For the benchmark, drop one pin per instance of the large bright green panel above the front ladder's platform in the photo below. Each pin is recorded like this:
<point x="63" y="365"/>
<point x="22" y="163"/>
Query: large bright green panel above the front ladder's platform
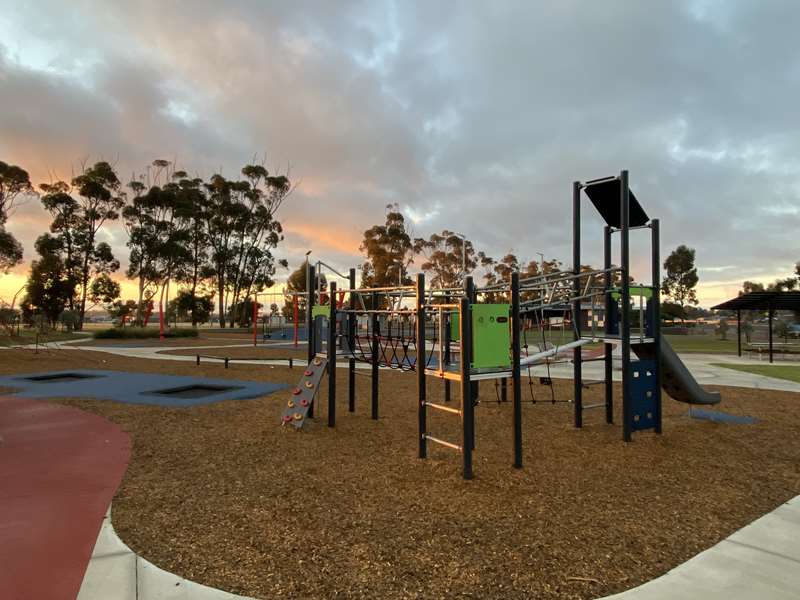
<point x="491" y="336"/>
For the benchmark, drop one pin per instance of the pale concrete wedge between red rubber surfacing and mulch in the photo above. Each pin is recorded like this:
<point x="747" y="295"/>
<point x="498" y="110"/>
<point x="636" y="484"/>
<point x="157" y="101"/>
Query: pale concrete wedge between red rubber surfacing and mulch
<point x="116" y="572"/>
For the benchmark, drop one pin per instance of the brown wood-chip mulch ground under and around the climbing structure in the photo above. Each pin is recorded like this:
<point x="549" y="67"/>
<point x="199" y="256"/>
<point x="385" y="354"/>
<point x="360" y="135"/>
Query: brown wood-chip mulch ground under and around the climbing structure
<point x="223" y="495"/>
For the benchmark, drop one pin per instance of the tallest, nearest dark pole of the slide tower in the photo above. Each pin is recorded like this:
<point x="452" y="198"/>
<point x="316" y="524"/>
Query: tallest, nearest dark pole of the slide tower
<point x="625" y="320"/>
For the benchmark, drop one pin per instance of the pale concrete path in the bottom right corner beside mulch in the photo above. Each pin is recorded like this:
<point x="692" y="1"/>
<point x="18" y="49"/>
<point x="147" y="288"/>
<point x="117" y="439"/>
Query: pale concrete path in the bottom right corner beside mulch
<point x="761" y="560"/>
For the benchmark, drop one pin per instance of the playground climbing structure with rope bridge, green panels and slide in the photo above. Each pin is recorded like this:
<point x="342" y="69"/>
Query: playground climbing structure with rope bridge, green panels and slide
<point x="464" y="335"/>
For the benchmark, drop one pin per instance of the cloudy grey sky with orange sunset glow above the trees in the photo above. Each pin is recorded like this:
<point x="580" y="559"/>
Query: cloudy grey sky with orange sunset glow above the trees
<point x="473" y="116"/>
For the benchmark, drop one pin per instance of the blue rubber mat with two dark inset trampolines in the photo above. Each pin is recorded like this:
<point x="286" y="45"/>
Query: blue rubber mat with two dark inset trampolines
<point x="136" y="388"/>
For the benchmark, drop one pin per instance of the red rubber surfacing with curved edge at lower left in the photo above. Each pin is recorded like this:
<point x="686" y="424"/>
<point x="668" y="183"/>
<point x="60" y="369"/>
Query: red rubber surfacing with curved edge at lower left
<point x="59" y="469"/>
